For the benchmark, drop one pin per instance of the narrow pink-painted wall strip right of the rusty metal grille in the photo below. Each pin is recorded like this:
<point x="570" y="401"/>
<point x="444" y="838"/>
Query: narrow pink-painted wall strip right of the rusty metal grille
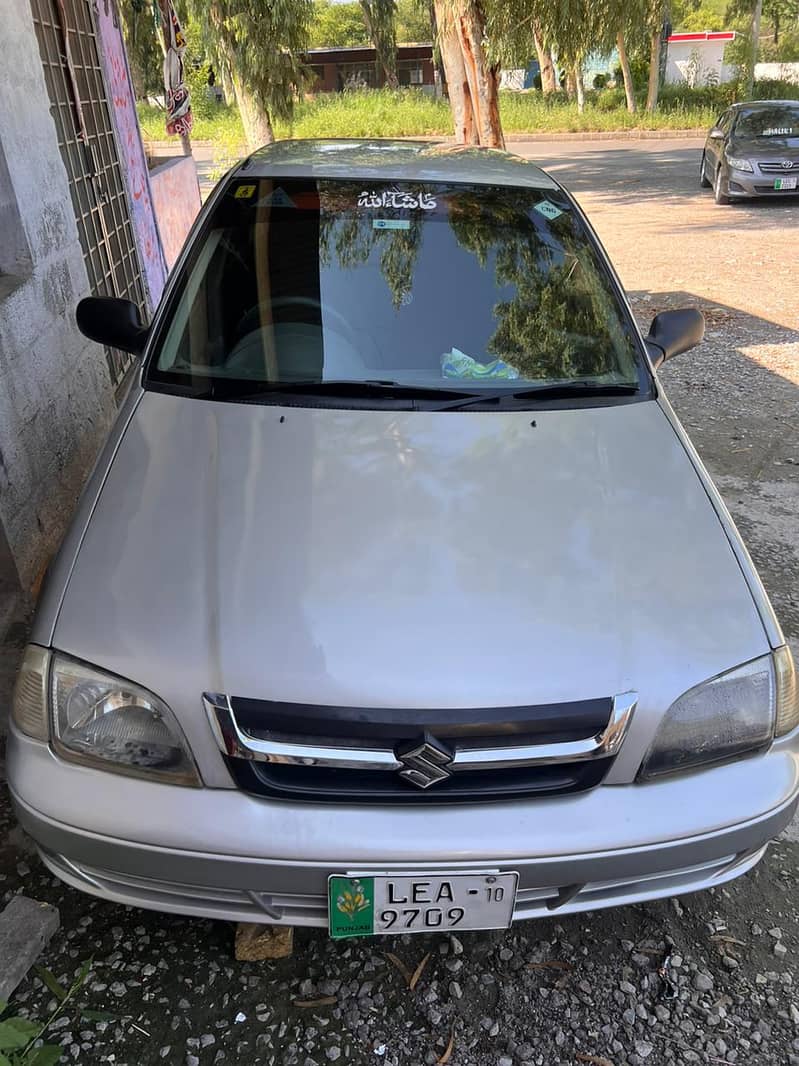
<point x="133" y="159"/>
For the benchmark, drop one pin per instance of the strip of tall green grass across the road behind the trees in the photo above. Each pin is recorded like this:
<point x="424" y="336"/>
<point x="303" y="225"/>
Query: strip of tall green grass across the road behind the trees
<point x="413" y="114"/>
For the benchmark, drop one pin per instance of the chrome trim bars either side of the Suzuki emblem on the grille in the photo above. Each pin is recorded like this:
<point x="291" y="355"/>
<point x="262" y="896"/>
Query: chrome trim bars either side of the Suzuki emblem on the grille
<point x="238" y="745"/>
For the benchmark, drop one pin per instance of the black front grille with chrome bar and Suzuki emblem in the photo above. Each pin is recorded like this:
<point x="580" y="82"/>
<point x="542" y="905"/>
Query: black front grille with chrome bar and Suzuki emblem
<point x="409" y="756"/>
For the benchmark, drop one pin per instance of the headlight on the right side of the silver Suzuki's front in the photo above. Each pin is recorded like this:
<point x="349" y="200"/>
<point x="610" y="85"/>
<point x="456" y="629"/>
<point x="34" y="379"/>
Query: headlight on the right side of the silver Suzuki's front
<point x="731" y="715"/>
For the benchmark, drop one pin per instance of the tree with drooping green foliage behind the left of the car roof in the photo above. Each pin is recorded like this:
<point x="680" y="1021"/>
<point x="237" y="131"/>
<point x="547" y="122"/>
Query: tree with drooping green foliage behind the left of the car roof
<point x="259" y="43"/>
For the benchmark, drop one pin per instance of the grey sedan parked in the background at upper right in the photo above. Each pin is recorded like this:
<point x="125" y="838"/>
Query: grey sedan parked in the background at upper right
<point x="754" y="151"/>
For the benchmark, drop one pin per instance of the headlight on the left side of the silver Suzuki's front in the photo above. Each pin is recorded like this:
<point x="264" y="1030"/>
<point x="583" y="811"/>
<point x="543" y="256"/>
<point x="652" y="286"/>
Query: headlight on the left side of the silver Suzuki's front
<point x="100" y="720"/>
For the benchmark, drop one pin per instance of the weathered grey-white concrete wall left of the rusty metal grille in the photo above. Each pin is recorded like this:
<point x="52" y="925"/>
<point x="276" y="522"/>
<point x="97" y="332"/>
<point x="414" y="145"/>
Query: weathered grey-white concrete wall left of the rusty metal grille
<point x="56" y="396"/>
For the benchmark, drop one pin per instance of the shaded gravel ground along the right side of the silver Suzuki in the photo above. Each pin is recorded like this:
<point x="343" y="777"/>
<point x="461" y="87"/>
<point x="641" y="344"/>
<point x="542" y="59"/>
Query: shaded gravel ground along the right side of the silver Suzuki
<point x="738" y="396"/>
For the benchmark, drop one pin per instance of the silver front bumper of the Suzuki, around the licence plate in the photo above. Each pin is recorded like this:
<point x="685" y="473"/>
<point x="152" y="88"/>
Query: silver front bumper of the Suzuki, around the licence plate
<point x="221" y="853"/>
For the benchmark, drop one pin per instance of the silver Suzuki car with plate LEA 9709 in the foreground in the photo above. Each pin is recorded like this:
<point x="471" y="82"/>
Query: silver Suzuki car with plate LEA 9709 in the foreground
<point x="399" y="599"/>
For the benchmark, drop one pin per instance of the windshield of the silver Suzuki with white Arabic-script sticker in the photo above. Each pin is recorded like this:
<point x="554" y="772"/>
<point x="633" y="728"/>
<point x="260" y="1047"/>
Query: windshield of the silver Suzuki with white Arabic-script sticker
<point x="426" y="286"/>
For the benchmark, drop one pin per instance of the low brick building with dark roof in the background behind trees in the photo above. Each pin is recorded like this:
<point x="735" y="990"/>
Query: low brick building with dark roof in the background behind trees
<point x="337" y="70"/>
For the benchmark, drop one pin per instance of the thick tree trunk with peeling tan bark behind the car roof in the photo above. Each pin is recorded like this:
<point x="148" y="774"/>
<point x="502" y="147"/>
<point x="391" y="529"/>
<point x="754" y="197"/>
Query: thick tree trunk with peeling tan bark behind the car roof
<point x="472" y="78"/>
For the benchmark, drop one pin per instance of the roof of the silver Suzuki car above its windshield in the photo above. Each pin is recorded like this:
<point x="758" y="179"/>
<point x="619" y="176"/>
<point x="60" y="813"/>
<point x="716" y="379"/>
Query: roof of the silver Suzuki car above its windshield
<point x="394" y="160"/>
